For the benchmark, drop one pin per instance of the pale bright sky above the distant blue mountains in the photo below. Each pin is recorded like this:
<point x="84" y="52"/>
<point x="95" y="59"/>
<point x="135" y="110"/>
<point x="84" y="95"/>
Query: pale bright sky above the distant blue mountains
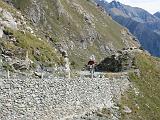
<point x="151" y="6"/>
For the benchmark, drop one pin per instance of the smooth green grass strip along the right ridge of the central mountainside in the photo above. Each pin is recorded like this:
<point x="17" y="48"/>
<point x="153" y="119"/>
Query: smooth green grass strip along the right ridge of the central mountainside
<point x="108" y="29"/>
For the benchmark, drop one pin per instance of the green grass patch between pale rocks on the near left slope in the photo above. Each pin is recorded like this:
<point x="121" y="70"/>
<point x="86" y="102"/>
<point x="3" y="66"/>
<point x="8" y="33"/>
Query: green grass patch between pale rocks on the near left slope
<point x="39" y="50"/>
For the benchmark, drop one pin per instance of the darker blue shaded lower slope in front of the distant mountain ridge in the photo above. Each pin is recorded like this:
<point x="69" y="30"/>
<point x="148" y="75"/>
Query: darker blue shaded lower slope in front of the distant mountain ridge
<point x="149" y="40"/>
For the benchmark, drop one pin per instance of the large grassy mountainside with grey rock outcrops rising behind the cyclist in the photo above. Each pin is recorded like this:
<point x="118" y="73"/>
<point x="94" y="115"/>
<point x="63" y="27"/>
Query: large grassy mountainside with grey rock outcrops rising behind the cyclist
<point x="76" y="26"/>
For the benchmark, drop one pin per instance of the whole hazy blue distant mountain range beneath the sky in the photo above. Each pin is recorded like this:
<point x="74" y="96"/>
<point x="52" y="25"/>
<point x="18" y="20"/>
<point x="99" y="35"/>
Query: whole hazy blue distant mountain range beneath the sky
<point x="145" y="26"/>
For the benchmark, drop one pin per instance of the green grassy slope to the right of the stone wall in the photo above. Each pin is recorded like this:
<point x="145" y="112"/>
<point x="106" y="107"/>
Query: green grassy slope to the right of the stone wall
<point x="146" y="104"/>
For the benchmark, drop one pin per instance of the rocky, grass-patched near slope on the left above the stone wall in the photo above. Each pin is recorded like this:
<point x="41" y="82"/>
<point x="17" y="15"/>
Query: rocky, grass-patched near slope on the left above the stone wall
<point x="19" y="44"/>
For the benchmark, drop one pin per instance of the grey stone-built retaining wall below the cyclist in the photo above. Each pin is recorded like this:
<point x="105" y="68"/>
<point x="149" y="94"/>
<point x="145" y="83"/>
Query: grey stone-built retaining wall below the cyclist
<point x="78" y="98"/>
